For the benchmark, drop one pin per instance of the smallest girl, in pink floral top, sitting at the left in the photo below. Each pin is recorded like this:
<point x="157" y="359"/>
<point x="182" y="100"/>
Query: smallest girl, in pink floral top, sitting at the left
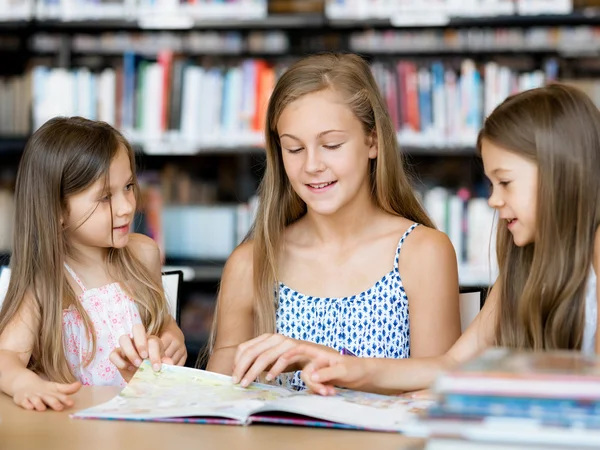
<point x="85" y="302"/>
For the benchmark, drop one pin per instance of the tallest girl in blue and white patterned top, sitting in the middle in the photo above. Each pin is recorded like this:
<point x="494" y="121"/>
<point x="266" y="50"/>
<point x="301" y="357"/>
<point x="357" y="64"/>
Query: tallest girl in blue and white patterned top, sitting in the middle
<point x="341" y="254"/>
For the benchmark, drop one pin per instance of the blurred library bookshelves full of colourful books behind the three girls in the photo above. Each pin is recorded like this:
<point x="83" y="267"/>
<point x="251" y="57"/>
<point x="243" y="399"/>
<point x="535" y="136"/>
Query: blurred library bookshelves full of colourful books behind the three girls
<point x="217" y="164"/>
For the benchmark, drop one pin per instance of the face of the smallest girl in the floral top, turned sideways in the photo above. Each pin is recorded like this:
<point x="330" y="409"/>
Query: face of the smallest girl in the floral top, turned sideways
<point x="100" y="216"/>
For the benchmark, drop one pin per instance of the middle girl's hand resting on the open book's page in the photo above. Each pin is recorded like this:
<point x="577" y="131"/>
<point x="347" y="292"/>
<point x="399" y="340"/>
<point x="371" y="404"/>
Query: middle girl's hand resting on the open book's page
<point x="259" y="354"/>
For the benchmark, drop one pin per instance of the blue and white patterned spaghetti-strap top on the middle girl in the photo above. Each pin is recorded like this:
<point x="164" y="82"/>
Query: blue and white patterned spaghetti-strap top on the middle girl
<point x="372" y="324"/>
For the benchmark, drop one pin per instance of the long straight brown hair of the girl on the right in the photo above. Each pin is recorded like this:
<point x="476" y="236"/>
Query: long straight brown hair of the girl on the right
<point x="542" y="285"/>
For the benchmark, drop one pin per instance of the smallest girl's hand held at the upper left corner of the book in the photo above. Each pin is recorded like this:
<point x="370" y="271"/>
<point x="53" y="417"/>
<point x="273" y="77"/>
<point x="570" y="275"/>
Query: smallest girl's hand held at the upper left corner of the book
<point x="131" y="352"/>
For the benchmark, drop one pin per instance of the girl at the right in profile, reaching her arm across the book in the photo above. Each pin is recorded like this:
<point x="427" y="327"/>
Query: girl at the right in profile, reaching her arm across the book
<point x="541" y="152"/>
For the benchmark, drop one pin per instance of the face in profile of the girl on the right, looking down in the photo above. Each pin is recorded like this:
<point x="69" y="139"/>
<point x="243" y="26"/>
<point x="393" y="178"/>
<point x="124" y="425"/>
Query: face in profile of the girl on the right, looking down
<point x="514" y="190"/>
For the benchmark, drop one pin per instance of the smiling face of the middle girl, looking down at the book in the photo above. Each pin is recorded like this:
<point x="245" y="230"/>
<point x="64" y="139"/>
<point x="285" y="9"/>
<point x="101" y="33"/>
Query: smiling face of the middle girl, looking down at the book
<point x="325" y="152"/>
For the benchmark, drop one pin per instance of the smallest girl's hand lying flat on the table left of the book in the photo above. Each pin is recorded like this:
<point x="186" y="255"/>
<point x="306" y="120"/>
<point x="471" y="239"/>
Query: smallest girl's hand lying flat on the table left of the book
<point x="45" y="394"/>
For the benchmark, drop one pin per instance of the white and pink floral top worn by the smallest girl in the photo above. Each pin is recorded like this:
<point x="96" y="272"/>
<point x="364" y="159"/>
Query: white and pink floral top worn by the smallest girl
<point x="113" y="314"/>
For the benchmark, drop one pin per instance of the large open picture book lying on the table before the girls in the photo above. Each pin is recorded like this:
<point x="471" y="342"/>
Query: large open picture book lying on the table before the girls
<point x="181" y="394"/>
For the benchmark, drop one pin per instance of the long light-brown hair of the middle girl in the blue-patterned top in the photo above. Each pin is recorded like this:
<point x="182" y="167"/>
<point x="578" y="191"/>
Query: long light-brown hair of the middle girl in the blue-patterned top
<point x="279" y="206"/>
